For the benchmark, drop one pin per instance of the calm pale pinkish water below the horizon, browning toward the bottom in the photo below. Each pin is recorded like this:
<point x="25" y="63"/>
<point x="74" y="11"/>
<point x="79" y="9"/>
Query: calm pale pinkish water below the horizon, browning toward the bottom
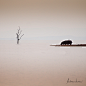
<point x="36" y="63"/>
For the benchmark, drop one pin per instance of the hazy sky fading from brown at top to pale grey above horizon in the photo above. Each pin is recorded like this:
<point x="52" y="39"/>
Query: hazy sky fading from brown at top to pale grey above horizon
<point x="41" y="18"/>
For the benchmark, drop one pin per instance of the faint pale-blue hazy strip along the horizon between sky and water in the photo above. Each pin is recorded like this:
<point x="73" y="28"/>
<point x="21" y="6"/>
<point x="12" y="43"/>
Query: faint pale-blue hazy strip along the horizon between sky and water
<point x="48" y="38"/>
